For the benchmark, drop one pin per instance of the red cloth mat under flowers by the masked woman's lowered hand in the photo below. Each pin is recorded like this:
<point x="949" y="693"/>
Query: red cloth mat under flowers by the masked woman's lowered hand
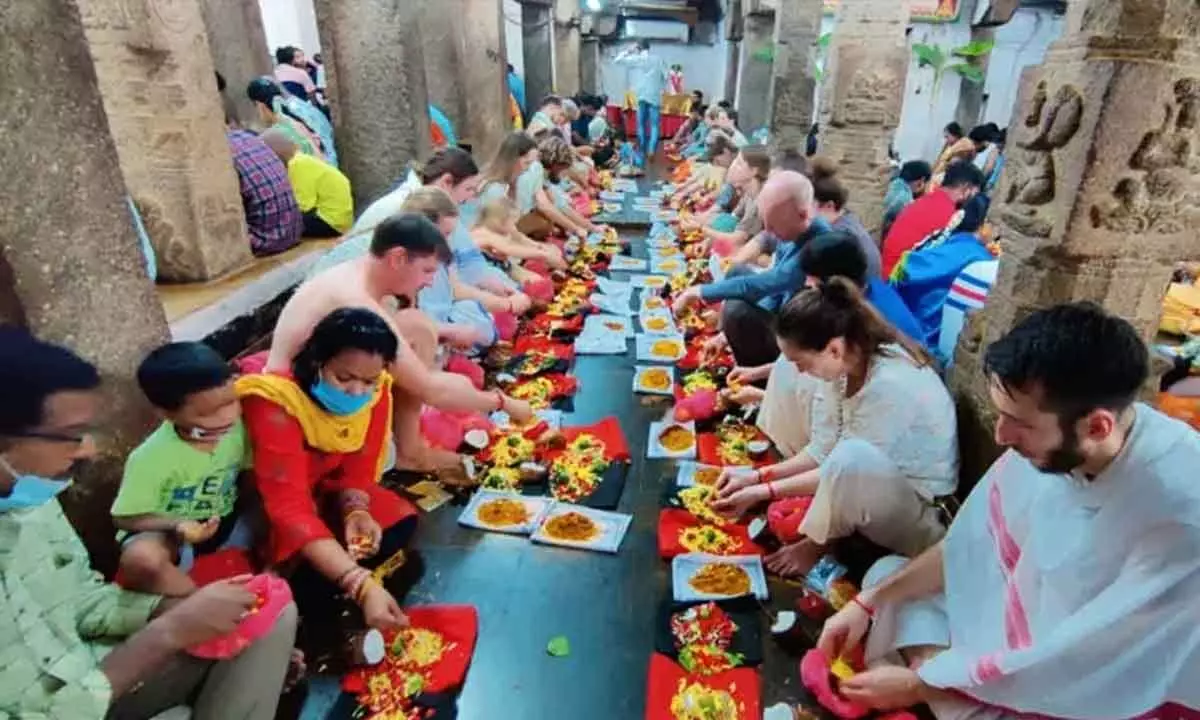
<point x="459" y="627"/>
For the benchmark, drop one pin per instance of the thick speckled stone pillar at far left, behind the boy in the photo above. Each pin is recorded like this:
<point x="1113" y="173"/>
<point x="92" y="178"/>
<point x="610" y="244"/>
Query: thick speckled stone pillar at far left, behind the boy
<point x="71" y="257"/>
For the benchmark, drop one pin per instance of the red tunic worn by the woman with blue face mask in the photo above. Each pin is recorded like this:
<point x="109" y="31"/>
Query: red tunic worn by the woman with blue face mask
<point x="296" y="481"/>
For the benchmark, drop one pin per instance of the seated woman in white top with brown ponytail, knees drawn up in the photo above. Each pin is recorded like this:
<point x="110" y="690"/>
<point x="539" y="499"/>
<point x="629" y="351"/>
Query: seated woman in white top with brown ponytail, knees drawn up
<point x="883" y="439"/>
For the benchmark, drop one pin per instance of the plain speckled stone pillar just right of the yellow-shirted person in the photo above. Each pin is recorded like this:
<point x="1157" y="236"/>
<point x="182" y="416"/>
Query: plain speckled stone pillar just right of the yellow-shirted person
<point x="373" y="53"/>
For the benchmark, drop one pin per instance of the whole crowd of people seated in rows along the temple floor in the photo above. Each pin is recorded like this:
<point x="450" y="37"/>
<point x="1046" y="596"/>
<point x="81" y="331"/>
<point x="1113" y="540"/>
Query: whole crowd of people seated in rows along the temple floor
<point x="1063" y="589"/>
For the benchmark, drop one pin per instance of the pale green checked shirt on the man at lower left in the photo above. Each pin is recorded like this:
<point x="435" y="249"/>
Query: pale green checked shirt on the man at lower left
<point x="58" y="620"/>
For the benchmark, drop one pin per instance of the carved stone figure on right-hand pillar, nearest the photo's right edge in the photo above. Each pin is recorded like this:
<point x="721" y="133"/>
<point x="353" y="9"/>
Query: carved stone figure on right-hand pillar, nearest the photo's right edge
<point x="1162" y="195"/>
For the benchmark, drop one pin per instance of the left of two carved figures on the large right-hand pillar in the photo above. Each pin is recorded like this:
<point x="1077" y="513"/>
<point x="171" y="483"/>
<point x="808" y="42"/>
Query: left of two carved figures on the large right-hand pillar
<point x="1048" y="127"/>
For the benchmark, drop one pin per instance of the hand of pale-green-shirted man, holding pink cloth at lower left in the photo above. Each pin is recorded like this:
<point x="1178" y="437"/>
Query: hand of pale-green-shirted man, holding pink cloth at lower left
<point x="213" y="611"/>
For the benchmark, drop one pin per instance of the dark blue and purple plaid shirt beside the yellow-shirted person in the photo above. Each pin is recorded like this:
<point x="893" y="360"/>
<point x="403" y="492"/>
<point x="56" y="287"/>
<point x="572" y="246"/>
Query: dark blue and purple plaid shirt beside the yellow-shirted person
<point x="272" y="213"/>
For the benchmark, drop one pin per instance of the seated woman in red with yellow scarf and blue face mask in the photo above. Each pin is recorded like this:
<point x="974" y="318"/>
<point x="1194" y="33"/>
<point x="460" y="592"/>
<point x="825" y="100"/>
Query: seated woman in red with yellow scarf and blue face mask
<point x="319" y="437"/>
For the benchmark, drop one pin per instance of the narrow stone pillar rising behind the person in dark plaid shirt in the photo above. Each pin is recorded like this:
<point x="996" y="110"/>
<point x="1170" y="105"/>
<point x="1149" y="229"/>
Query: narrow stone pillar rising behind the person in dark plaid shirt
<point x="238" y="45"/>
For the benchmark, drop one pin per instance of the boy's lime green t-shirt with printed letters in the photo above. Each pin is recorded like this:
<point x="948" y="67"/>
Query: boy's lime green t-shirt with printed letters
<point x="166" y="476"/>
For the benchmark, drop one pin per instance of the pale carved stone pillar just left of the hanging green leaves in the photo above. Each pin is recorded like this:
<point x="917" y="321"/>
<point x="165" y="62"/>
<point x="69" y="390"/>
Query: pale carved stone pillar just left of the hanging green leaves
<point x="863" y="97"/>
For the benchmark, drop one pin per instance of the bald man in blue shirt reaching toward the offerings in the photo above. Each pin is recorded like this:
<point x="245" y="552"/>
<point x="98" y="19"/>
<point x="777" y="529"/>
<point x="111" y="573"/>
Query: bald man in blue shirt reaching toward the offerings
<point x="752" y="301"/>
